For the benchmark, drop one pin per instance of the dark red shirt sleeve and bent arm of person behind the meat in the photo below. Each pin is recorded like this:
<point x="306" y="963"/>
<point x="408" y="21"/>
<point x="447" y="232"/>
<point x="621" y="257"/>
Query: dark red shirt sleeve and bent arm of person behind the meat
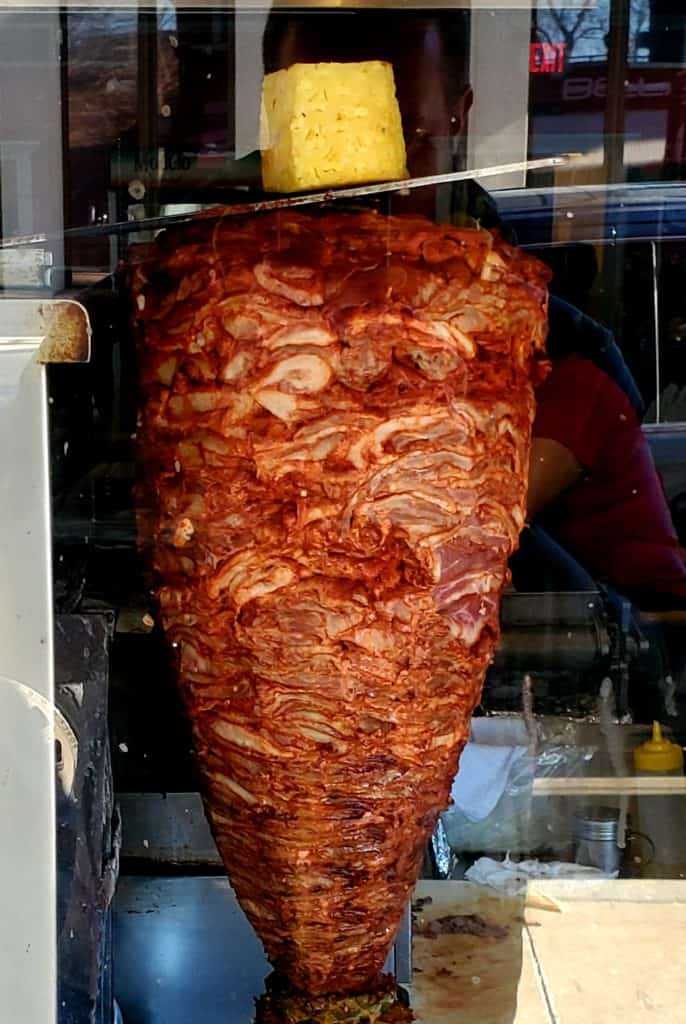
<point x="595" y="490"/>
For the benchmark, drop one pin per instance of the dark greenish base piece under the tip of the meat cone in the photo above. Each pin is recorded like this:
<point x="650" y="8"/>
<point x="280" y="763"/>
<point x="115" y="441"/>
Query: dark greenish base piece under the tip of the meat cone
<point x="383" y="1003"/>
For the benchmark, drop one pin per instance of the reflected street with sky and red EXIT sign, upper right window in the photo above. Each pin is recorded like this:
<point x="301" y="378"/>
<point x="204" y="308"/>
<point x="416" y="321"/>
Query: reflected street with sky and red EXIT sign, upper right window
<point x="569" y="104"/>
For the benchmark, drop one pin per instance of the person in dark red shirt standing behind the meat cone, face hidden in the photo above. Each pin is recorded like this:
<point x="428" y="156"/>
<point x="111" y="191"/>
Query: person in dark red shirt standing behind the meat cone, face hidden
<point x="593" y="487"/>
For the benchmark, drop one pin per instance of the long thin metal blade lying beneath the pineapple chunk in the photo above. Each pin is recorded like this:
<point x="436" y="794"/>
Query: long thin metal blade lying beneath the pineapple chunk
<point x="307" y="199"/>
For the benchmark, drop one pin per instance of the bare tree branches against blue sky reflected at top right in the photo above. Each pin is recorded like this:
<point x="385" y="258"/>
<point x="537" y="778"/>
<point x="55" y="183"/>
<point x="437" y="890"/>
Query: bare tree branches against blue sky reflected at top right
<point x="584" y="28"/>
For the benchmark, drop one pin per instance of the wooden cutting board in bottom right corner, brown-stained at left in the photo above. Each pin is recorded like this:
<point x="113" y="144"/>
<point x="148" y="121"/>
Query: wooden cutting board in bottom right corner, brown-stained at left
<point x="615" y="954"/>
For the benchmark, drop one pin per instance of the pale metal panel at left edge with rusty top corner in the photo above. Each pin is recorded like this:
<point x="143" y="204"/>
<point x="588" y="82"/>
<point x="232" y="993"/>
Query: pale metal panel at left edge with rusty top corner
<point x="28" y="884"/>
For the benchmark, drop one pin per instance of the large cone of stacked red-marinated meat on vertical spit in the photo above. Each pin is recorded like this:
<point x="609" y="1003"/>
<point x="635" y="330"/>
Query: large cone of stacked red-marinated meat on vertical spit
<point x="335" y="437"/>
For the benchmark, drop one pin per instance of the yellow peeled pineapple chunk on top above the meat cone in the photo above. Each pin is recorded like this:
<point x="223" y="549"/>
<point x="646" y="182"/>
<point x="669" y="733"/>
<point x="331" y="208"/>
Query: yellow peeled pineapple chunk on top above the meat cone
<point x="331" y="124"/>
